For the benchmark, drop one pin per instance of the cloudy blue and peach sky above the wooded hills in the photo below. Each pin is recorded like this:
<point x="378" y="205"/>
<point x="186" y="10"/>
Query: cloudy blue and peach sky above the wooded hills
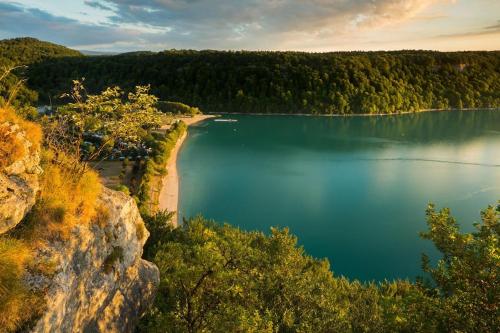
<point x="301" y="25"/>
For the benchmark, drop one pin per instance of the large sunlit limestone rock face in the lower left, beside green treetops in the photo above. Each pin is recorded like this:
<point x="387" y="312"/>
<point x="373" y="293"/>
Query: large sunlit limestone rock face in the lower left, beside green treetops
<point x="101" y="284"/>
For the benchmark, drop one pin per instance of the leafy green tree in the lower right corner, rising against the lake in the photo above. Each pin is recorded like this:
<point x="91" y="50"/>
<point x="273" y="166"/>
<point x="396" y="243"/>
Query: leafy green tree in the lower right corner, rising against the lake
<point x="467" y="277"/>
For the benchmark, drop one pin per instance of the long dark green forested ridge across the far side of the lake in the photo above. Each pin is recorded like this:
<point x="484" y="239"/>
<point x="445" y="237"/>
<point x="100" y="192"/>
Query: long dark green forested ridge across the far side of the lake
<point x="287" y="82"/>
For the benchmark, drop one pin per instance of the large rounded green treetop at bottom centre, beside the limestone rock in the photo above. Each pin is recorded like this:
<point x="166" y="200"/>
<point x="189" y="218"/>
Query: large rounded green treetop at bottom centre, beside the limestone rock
<point x="217" y="278"/>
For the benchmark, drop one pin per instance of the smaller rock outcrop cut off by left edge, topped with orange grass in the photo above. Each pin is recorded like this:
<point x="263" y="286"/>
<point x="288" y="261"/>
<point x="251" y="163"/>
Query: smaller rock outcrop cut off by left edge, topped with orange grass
<point x="18" y="182"/>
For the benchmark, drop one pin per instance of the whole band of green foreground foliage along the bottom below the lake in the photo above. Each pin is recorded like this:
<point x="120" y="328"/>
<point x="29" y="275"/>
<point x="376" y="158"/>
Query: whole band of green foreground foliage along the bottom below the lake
<point x="216" y="278"/>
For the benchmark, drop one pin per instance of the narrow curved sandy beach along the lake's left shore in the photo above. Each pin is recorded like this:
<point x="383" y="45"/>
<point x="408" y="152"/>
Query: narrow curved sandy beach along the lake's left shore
<point x="169" y="193"/>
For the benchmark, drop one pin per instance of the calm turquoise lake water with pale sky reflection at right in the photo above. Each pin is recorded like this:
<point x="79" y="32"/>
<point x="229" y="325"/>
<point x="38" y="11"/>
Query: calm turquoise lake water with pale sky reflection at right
<point x="353" y="189"/>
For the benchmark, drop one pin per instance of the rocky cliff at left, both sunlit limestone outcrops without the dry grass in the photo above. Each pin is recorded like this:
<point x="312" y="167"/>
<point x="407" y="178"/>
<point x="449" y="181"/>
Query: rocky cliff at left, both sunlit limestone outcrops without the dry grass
<point x="98" y="282"/>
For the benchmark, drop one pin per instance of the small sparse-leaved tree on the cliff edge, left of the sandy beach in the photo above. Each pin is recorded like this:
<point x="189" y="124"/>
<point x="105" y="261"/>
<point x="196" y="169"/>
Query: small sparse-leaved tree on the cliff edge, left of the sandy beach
<point x="112" y="115"/>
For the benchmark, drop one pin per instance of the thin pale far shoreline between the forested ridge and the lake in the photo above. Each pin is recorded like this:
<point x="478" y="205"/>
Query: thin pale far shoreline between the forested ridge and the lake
<point x="350" y="114"/>
